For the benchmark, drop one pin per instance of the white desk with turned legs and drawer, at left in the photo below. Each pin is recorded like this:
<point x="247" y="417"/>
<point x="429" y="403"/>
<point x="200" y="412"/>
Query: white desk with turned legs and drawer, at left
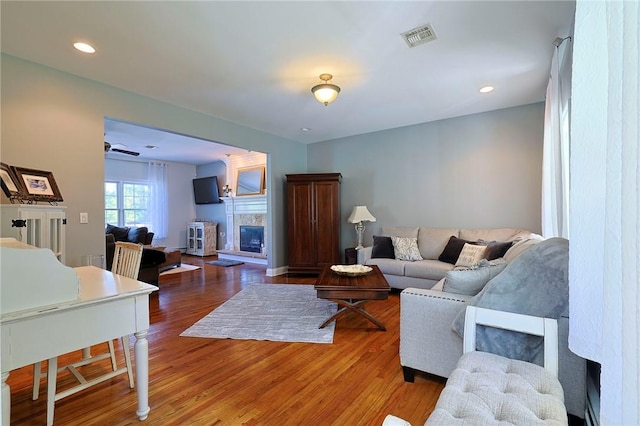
<point x="108" y="306"/>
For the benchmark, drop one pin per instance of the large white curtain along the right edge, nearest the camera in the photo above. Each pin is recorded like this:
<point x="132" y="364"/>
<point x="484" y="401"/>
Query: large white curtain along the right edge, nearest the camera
<point x="604" y="263"/>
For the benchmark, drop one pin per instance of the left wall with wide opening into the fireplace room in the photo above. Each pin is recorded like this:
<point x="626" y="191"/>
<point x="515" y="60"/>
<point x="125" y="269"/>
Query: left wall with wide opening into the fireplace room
<point x="54" y="121"/>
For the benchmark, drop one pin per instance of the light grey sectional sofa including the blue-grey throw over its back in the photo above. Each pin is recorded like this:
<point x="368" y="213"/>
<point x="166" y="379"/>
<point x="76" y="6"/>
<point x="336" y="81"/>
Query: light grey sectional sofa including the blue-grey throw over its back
<point x="431" y="308"/>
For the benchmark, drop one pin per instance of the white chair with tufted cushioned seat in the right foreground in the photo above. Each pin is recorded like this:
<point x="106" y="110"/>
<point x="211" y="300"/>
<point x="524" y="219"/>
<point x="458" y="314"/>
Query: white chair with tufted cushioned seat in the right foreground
<point x="485" y="388"/>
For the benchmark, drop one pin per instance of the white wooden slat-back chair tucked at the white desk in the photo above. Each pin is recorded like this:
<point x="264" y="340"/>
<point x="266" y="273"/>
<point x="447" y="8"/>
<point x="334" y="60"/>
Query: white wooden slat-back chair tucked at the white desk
<point x="126" y="262"/>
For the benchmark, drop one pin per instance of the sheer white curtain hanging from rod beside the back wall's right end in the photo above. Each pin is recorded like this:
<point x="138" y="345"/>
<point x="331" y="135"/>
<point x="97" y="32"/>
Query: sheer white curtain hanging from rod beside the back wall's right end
<point x="555" y="163"/>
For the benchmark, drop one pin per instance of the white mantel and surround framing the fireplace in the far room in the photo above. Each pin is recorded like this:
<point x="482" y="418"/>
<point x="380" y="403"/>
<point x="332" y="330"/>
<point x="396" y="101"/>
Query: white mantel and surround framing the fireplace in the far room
<point x="238" y="206"/>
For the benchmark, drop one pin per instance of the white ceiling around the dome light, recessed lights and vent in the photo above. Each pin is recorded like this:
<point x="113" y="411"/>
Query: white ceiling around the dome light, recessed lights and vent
<point x="254" y="62"/>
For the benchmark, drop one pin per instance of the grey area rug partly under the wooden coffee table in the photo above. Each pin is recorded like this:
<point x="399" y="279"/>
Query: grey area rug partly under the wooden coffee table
<point x="275" y="312"/>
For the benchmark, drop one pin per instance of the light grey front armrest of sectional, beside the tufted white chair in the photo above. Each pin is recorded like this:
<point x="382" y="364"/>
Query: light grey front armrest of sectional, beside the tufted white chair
<point x="427" y="341"/>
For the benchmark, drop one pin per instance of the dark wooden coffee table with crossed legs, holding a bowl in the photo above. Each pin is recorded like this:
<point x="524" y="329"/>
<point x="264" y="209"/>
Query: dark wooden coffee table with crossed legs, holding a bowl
<point x="351" y="293"/>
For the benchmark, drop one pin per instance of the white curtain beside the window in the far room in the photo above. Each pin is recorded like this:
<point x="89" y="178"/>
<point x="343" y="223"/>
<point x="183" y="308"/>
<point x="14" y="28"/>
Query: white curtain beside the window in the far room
<point x="158" y="206"/>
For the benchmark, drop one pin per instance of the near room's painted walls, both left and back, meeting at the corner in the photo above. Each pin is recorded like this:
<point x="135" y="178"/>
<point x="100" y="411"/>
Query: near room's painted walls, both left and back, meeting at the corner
<point x="481" y="170"/>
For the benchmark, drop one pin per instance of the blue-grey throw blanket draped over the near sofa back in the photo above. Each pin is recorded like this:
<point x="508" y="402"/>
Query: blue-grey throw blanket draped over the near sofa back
<point x="535" y="283"/>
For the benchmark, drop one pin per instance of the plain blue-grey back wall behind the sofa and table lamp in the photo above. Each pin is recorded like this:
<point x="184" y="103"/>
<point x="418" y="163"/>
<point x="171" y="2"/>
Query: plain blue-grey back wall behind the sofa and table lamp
<point x="477" y="171"/>
